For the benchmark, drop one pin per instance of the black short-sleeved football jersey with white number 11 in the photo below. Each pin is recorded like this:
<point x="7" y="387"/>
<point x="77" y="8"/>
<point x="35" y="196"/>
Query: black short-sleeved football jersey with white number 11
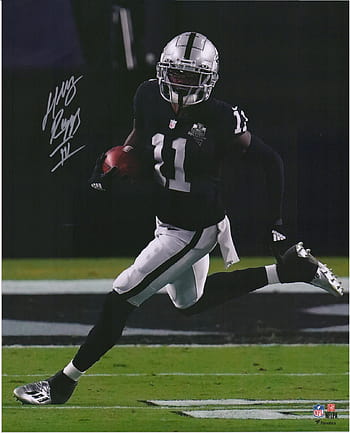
<point x="186" y="151"/>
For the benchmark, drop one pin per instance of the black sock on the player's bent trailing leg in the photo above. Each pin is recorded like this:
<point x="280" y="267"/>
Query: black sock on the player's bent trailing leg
<point x="222" y="286"/>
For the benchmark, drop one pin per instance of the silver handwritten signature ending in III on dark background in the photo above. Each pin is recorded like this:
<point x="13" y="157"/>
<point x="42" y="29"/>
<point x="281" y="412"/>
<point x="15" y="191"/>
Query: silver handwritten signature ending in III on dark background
<point x="63" y="125"/>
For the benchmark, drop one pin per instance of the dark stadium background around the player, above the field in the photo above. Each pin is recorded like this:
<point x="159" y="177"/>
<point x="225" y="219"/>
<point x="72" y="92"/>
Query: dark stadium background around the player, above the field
<point x="285" y="63"/>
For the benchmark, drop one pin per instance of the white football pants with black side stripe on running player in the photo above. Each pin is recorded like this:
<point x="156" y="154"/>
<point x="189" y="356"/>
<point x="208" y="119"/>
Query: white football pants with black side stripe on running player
<point x="176" y="259"/>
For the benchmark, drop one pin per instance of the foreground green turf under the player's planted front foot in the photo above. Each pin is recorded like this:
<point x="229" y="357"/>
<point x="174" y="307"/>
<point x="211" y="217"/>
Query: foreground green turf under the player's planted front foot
<point x="265" y="373"/>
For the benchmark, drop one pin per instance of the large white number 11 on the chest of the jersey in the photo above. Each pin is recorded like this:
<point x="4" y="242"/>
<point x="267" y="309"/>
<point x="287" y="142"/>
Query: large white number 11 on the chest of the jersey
<point x="179" y="145"/>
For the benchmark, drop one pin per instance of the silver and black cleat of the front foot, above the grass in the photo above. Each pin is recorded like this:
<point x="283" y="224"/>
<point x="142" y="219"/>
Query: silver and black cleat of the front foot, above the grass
<point x="54" y="390"/>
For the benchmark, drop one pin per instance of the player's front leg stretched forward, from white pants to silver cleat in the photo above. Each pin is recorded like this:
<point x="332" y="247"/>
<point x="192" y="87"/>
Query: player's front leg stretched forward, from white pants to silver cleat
<point x="169" y="254"/>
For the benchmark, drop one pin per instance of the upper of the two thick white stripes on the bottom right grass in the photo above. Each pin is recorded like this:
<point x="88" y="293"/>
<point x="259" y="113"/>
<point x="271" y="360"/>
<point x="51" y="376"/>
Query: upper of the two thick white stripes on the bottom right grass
<point x="234" y="402"/>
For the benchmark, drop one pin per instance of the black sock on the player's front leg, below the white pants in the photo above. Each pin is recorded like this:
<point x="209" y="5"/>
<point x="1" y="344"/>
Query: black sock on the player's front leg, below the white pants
<point x="105" y="333"/>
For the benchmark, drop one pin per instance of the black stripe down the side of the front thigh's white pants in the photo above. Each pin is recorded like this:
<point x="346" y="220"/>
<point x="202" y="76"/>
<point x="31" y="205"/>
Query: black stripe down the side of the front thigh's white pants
<point x="163" y="267"/>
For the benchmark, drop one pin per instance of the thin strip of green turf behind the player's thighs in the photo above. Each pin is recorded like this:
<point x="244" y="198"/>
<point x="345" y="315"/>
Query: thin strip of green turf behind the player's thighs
<point x="36" y="269"/>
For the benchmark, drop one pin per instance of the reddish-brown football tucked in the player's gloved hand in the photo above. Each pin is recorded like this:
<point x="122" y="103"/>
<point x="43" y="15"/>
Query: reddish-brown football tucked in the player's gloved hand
<point x="124" y="159"/>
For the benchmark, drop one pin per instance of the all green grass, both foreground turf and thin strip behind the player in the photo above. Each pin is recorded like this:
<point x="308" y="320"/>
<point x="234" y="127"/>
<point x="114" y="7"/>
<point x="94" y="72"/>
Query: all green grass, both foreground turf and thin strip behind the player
<point x="111" y="397"/>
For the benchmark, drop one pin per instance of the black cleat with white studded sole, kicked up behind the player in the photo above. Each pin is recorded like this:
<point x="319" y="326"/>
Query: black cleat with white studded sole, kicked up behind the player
<point x="297" y="264"/>
